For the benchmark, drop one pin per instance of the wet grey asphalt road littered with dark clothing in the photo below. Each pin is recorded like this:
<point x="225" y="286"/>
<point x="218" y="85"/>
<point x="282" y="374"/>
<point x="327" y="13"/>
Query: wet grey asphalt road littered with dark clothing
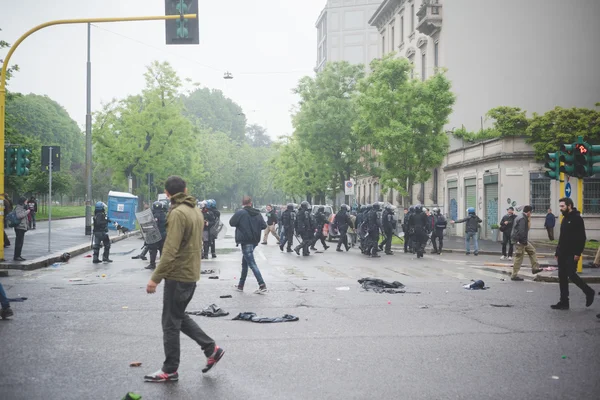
<point x="75" y="339"/>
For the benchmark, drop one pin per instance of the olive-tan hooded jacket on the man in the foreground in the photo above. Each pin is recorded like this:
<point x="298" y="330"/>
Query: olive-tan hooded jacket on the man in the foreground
<point x="180" y="258"/>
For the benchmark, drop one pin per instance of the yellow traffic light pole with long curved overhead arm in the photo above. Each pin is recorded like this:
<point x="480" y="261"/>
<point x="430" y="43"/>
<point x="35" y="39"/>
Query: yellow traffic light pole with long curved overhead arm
<point x="5" y="70"/>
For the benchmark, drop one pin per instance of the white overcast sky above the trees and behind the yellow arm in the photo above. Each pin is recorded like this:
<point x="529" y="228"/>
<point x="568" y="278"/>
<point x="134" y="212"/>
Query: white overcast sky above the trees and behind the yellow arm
<point x="266" y="44"/>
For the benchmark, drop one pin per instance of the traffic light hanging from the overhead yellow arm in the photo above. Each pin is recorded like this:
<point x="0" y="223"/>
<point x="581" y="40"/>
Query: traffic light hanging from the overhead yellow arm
<point x="182" y="30"/>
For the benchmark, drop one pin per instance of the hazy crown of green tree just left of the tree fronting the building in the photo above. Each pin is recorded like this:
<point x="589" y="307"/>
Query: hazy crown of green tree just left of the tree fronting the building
<point x="324" y="121"/>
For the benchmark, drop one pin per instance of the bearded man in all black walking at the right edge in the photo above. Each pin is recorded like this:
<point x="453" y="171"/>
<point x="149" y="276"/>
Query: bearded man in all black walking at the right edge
<point x="571" y="243"/>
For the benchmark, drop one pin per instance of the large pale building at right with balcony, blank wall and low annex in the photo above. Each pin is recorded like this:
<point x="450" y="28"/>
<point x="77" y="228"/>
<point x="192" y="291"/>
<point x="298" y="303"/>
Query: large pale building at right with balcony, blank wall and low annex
<point x="535" y="54"/>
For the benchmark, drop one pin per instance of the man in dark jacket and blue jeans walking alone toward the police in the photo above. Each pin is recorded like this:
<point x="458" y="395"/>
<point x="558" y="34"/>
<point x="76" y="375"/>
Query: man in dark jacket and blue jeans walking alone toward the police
<point x="248" y="223"/>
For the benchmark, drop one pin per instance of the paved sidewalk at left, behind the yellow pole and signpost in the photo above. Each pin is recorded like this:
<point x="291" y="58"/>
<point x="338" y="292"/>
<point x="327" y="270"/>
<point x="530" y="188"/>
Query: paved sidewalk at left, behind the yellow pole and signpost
<point x="67" y="236"/>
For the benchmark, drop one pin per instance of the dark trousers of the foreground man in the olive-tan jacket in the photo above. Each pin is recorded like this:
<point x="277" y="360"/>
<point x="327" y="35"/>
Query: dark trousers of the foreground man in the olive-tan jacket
<point x="174" y="320"/>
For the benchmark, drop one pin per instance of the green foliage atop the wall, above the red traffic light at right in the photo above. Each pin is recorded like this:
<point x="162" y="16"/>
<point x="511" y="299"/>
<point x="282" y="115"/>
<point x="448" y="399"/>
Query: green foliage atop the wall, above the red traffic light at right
<point x="562" y="125"/>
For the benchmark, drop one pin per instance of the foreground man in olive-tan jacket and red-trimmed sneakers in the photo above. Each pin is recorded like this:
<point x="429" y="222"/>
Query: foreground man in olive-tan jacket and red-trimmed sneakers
<point x="180" y="268"/>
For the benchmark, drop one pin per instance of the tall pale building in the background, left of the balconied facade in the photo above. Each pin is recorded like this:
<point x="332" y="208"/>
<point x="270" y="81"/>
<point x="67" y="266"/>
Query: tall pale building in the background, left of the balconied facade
<point x="344" y="33"/>
